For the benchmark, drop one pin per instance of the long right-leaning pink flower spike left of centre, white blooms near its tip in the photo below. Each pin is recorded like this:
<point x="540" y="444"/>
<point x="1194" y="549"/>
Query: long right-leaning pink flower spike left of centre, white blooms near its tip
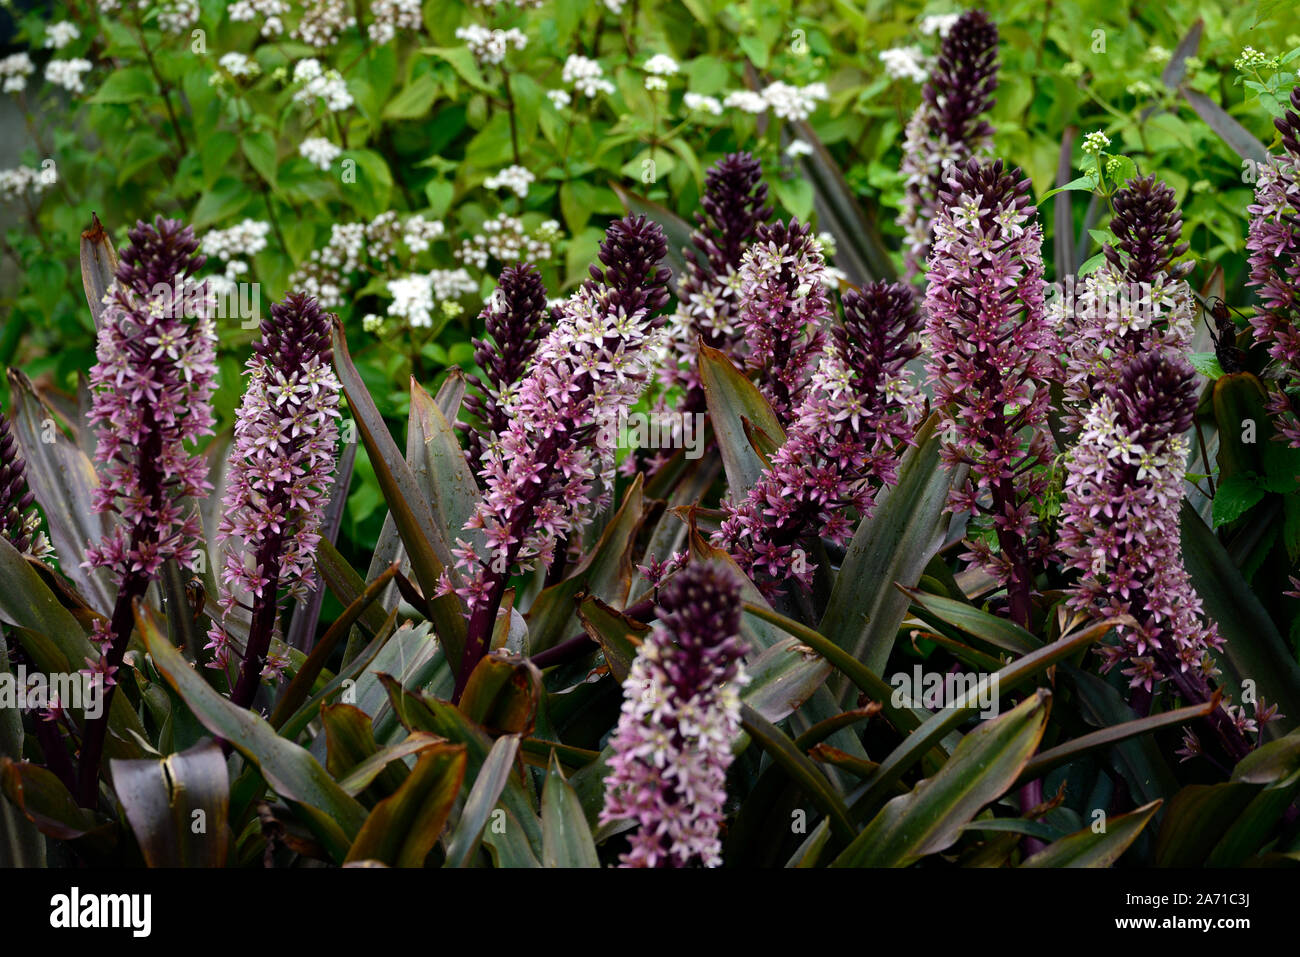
<point x="556" y="460"/>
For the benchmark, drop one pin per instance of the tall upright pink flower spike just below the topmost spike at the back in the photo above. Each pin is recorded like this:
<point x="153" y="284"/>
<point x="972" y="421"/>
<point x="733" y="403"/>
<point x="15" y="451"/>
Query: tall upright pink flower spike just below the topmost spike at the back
<point x="990" y="363"/>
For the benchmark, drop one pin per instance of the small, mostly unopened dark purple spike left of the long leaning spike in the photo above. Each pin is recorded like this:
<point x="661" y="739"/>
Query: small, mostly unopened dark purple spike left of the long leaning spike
<point x="517" y="319"/>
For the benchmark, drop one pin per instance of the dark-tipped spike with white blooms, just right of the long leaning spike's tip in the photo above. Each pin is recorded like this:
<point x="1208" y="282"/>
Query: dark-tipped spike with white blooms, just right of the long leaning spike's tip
<point x="735" y="206"/>
